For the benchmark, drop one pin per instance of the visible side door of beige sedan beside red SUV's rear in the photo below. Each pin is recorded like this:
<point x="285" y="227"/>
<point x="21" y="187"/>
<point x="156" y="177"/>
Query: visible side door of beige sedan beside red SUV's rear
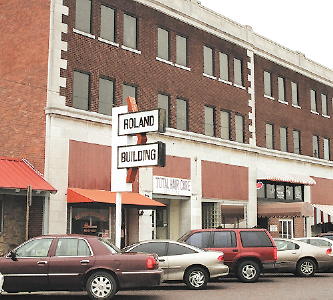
<point x="288" y="255"/>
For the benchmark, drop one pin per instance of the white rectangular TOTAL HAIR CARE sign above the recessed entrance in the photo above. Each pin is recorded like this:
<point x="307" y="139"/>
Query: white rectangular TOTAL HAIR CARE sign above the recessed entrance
<point x="172" y="186"/>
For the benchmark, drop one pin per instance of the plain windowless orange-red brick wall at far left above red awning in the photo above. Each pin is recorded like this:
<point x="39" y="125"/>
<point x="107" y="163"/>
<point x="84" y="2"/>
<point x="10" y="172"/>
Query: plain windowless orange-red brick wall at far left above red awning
<point x="23" y="78"/>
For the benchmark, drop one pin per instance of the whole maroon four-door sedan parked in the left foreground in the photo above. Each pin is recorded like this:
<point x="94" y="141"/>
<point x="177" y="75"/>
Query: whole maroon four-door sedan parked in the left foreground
<point x="75" y="263"/>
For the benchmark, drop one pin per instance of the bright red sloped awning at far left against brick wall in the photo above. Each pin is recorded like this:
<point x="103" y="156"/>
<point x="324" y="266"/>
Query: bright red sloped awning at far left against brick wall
<point x="19" y="174"/>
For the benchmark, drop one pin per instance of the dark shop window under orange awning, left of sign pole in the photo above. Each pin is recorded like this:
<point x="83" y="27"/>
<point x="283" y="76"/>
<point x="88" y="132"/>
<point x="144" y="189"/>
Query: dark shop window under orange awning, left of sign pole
<point x="91" y="221"/>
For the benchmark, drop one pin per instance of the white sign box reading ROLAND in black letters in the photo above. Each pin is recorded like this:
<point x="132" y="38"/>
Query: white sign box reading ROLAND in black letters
<point x="142" y="122"/>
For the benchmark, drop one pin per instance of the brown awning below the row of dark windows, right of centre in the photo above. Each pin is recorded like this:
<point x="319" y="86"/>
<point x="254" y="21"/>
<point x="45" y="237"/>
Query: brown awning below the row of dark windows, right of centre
<point x="285" y="209"/>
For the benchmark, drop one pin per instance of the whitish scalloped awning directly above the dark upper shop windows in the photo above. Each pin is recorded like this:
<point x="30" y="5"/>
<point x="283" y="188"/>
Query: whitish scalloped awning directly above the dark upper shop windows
<point x="272" y="175"/>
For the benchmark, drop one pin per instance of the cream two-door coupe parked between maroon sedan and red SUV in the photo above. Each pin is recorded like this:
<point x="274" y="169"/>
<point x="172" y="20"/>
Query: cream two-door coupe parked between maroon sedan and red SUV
<point x="182" y="262"/>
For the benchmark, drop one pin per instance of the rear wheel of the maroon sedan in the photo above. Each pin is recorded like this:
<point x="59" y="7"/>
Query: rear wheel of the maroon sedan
<point x="101" y="285"/>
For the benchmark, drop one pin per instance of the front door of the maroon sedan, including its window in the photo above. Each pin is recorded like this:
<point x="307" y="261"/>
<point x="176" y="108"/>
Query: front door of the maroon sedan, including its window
<point x="29" y="270"/>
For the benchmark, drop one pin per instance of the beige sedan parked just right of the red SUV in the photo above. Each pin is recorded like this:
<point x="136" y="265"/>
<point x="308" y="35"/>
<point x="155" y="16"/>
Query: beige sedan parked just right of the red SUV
<point x="300" y="258"/>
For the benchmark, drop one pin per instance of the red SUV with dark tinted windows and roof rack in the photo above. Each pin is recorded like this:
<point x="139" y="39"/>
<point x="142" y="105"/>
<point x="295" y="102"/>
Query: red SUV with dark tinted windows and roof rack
<point x="247" y="252"/>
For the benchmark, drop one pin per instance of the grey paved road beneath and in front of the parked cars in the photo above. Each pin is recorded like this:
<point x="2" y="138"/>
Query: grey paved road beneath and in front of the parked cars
<point x="270" y="287"/>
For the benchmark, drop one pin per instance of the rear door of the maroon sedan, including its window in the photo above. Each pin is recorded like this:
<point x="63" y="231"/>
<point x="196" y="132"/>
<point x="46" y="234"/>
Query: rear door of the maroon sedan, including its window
<point x="72" y="257"/>
